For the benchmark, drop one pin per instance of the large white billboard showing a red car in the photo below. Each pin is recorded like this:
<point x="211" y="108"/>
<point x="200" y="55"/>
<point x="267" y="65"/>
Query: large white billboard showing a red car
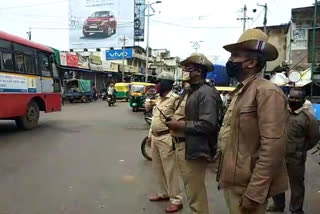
<point x="100" y="23"/>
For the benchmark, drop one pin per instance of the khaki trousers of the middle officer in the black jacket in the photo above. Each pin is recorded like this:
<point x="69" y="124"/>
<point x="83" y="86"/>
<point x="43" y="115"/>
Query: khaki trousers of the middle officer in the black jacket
<point x="193" y="175"/>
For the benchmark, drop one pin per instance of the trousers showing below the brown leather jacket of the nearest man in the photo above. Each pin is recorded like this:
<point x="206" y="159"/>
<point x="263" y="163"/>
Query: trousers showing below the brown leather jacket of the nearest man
<point x="233" y="199"/>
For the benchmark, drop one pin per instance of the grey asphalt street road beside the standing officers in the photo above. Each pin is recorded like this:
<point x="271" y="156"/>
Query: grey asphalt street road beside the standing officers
<point x="86" y="160"/>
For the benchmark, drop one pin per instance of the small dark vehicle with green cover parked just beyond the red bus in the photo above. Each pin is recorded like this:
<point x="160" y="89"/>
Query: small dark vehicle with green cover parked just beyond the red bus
<point x="76" y="90"/>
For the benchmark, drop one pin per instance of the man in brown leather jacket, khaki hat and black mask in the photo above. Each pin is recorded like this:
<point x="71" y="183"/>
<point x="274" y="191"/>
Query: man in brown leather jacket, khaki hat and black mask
<point x="252" y="137"/>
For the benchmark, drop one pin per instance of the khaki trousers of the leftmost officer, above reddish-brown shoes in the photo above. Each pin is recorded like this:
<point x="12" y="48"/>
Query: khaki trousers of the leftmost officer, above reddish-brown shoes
<point x="164" y="164"/>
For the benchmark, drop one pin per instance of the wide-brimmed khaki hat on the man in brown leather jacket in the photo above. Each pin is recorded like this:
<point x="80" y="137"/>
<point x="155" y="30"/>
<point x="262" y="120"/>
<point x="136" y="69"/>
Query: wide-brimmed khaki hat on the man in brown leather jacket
<point x="254" y="40"/>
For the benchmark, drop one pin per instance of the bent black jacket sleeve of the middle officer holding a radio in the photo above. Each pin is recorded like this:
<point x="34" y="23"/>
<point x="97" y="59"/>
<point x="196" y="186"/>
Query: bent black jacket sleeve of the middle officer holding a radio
<point x="208" y="116"/>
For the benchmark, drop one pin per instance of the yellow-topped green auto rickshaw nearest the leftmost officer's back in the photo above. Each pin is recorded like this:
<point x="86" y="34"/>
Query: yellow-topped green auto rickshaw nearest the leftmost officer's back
<point x="137" y="94"/>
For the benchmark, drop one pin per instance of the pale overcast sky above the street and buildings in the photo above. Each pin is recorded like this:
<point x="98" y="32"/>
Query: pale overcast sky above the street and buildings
<point x="175" y="24"/>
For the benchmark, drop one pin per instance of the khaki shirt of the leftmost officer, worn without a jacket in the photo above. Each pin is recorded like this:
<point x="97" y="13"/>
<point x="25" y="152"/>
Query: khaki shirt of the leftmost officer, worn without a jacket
<point x="167" y="106"/>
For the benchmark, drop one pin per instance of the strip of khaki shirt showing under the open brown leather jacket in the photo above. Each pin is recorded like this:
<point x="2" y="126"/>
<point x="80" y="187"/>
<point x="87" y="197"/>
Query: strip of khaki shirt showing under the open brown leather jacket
<point x="224" y="137"/>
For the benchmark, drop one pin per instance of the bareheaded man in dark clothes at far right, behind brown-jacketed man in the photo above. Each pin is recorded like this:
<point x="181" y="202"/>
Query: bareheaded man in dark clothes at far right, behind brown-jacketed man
<point x="303" y="135"/>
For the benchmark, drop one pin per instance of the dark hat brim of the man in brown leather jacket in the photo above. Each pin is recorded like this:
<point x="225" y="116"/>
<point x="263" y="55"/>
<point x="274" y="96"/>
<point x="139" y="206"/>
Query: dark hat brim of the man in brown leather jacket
<point x="269" y="51"/>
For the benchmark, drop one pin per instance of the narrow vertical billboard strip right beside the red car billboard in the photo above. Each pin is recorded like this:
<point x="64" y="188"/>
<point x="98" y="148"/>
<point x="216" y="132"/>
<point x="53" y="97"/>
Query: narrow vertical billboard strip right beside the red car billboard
<point x="139" y="20"/>
